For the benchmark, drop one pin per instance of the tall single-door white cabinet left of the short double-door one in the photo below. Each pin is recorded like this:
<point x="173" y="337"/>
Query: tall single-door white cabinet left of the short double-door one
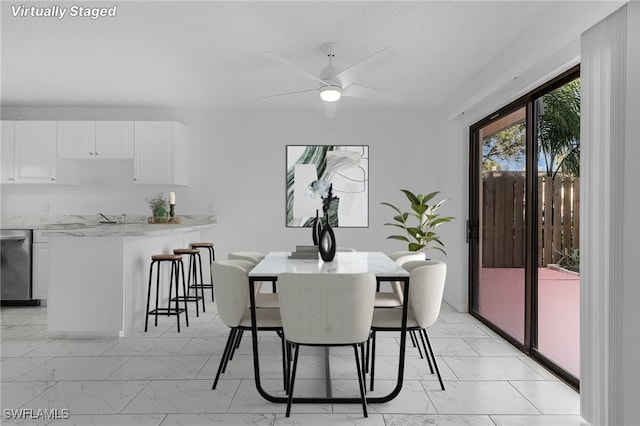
<point x="35" y="152"/>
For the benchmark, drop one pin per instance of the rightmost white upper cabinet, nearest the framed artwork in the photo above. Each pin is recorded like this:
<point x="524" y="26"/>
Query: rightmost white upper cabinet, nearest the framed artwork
<point x="160" y="153"/>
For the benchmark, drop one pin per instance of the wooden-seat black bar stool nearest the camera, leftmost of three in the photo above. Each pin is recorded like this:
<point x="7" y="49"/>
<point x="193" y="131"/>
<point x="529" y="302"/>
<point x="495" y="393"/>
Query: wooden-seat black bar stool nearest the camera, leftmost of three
<point x="176" y="267"/>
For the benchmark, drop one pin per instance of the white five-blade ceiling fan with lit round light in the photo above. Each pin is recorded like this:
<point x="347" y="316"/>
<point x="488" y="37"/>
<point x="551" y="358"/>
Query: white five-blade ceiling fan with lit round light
<point x="334" y="83"/>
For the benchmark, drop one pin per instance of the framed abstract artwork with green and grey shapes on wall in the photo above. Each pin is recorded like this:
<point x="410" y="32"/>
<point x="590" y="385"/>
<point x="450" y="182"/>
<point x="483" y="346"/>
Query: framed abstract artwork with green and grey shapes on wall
<point x="312" y="169"/>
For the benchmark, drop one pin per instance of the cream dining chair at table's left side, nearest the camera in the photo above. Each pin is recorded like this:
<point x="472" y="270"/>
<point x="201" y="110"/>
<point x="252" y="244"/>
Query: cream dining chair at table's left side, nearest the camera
<point x="232" y="300"/>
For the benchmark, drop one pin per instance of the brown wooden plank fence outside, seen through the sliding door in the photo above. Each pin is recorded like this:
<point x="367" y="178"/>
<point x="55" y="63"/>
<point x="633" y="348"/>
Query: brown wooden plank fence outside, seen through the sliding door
<point x="503" y="227"/>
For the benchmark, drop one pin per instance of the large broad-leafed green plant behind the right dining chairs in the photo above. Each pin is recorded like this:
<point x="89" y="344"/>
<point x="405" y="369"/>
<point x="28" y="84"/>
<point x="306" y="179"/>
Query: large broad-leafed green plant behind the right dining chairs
<point x="422" y="235"/>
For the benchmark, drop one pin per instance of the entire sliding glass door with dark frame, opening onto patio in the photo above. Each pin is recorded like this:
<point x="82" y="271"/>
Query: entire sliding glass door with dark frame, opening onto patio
<point x="524" y="223"/>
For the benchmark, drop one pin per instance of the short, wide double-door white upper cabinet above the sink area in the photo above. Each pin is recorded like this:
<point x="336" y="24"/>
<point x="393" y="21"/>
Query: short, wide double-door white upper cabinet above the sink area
<point x="106" y="140"/>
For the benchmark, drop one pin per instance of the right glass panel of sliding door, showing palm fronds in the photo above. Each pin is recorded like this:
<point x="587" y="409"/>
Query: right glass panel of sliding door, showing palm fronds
<point x="558" y="133"/>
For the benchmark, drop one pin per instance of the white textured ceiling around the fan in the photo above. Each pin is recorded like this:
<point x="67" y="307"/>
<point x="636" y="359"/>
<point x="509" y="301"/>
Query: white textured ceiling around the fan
<point x="211" y="54"/>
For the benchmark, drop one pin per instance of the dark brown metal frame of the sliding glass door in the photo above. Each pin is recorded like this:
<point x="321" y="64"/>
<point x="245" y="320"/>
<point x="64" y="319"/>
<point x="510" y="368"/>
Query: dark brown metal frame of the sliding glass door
<point x="529" y="344"/>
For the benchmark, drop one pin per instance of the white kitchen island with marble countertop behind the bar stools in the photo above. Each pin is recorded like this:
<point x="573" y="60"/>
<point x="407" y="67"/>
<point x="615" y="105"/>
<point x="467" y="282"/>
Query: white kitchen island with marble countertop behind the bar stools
<point x="98" y="275"/>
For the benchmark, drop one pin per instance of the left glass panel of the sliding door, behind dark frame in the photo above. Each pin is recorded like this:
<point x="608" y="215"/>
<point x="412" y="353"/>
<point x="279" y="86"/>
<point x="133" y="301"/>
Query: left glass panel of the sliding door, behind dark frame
<point x="502" y="223"/>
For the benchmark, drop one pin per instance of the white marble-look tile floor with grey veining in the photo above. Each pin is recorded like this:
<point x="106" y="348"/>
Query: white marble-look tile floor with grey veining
<point x="164" y="378"/>
